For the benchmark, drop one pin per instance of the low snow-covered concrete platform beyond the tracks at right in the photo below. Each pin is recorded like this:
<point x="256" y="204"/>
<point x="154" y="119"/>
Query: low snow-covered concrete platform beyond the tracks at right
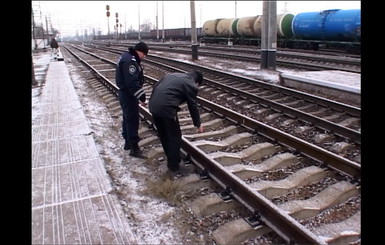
<point x="345" y="85"/>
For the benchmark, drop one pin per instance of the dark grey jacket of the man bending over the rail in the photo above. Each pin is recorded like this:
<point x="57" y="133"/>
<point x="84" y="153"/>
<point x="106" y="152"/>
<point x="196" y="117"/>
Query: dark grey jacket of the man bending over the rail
<point x="170" y="92"/>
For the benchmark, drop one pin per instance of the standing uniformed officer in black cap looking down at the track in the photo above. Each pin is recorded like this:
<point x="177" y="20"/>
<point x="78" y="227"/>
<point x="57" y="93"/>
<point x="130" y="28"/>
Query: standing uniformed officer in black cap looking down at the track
<point x="129" y="78"/>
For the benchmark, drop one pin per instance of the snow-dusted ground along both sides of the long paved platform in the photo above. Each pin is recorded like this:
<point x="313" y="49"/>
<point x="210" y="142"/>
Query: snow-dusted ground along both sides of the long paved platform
<point x="150" y="218"/>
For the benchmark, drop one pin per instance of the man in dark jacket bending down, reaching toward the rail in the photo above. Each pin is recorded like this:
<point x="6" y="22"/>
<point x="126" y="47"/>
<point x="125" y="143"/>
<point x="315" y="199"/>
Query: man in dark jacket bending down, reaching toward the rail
<point x="168" y="94"/>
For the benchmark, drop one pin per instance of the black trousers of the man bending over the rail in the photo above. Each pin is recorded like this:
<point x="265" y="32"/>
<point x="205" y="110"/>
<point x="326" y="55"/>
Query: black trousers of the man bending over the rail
<point x="170" y="138"/>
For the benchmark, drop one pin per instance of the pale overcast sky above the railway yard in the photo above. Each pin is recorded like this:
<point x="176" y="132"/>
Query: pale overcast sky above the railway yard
<point x="71" y="17"/>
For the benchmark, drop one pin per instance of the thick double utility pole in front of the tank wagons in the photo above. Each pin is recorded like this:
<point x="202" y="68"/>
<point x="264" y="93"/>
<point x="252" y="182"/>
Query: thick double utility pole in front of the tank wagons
<point x="269" y="35"/>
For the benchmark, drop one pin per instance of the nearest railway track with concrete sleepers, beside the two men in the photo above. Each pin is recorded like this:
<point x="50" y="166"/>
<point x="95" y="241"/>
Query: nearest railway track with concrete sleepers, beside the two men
<point x="283" y="185"/>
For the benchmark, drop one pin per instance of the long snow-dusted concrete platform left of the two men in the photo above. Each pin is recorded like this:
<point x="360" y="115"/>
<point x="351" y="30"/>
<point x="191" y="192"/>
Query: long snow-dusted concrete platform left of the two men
<point x="71" y="199"/>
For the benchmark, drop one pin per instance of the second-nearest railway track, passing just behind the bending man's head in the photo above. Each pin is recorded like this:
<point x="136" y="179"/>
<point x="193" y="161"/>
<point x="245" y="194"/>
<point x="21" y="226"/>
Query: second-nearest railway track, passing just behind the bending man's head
<point x="334" y="126"/>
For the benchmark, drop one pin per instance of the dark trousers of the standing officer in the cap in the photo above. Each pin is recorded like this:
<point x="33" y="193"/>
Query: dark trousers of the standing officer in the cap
<point x="130" y="123"/>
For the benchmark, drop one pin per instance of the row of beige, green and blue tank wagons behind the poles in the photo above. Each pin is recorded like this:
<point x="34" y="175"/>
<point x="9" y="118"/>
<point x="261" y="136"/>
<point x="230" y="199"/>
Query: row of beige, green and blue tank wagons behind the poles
<point x="307" y="30"/>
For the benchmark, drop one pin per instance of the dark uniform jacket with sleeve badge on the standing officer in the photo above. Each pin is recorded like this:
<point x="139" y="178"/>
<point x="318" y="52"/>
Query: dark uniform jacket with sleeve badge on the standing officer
<point x="129" y="75"/>
